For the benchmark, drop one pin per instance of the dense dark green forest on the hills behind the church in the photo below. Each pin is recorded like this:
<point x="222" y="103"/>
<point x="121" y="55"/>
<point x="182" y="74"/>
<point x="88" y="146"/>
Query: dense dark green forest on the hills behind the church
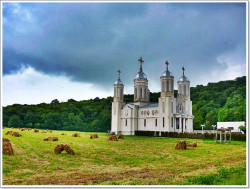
<point x="221" y="101"/>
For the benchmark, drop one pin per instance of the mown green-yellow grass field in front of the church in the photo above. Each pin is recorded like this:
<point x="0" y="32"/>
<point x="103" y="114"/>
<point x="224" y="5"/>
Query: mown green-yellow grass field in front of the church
<point x="135" y="160"/>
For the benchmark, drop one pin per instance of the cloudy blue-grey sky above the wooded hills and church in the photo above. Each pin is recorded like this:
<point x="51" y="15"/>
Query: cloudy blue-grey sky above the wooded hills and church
<point x="73" y="50"/>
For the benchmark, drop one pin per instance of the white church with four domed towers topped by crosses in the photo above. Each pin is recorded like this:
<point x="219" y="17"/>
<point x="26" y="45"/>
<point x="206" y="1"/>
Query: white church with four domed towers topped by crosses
<point x="170" y="114"/>
